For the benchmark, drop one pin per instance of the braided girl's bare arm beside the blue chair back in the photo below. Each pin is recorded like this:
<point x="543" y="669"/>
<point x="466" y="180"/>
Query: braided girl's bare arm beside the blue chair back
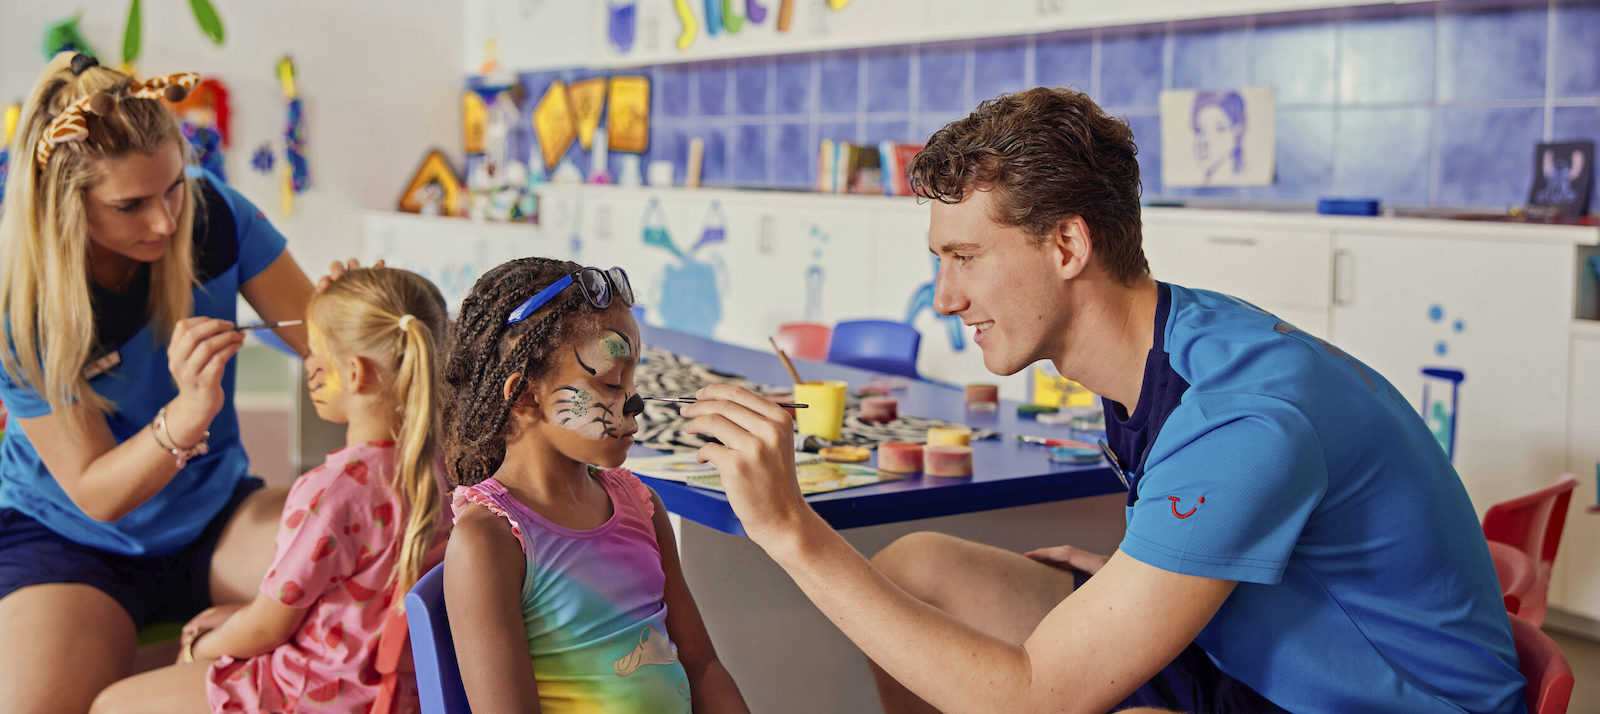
<point x="484" y="574"/>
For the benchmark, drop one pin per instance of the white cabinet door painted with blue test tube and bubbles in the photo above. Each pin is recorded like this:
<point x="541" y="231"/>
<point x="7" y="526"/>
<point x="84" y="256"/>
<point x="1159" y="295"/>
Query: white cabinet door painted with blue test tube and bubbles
<point x="1498" y="313"/>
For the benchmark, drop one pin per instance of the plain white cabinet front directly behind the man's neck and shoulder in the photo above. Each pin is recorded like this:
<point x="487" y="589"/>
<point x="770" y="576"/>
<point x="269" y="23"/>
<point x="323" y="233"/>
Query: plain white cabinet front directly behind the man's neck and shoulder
<point x="1282" y="271"/>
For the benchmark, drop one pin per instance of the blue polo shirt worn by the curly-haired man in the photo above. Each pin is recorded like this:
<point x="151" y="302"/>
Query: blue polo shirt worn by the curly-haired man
<point x="1268" y="457"/>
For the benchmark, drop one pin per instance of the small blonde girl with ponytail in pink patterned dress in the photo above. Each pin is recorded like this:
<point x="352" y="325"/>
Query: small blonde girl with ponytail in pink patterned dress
<point x="358" y="531"/>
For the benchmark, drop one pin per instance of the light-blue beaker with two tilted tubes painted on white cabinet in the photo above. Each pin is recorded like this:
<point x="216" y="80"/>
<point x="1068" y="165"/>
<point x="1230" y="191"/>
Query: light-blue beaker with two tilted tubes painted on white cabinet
<point x="690" y="287"/>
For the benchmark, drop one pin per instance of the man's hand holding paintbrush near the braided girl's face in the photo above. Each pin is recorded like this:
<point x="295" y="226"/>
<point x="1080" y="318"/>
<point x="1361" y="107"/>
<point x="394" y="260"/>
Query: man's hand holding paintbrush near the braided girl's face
<point x="756" y="459"/>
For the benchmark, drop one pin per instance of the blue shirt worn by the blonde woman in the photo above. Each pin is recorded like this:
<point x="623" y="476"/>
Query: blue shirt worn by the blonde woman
<point x="233" y="243"/>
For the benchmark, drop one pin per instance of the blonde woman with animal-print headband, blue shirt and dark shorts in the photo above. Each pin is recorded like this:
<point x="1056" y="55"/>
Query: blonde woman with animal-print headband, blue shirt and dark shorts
<point x="126" y="494"/>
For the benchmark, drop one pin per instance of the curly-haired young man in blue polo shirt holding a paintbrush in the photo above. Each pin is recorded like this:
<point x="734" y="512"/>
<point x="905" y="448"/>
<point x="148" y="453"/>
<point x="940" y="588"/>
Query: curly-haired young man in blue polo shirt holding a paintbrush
<point x="1295" y="540"/>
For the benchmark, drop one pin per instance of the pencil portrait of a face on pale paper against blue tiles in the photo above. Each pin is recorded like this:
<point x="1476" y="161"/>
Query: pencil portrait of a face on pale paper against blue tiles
<point x="1218" y="137"/>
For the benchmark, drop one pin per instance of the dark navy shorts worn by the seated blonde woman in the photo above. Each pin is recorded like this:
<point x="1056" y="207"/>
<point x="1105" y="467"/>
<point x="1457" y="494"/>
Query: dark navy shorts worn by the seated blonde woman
<point x="153" y="588"/>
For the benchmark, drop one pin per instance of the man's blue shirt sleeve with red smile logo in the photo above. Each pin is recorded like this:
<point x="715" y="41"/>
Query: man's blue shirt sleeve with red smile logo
<point x="1226" y="492"/>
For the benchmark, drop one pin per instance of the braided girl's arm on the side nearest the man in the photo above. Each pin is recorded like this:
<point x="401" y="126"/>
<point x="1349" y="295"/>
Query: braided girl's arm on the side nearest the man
<point x="711" y="686"/>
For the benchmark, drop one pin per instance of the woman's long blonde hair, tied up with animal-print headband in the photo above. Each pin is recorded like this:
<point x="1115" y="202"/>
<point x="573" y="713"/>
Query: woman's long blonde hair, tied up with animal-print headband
<point x="44" y="233"/>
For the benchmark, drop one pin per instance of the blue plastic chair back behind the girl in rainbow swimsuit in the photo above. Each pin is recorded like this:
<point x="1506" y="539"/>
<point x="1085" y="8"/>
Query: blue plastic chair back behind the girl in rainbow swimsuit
<point x="433" y="649"/>
